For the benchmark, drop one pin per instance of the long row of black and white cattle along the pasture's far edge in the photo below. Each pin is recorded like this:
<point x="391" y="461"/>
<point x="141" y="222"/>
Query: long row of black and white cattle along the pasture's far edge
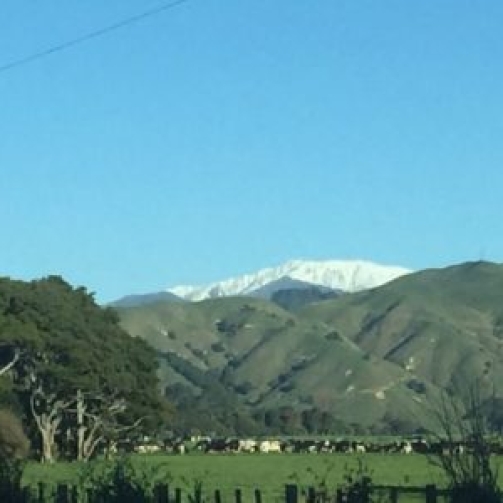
<point x="294" y="445"/>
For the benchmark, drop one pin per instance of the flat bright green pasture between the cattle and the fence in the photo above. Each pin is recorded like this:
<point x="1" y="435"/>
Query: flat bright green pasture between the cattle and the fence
<point x="269" y="472"/>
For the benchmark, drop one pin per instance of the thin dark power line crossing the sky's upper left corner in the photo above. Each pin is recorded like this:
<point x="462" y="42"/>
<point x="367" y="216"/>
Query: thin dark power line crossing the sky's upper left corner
<point x="94" y="34"/>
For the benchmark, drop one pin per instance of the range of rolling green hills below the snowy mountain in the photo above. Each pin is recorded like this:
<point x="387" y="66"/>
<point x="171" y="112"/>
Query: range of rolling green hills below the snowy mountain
<point x="375" y="360"/>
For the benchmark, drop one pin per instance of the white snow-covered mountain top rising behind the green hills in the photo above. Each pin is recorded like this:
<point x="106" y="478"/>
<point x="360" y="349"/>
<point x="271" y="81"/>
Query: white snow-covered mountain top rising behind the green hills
<point x="346" y="275"/>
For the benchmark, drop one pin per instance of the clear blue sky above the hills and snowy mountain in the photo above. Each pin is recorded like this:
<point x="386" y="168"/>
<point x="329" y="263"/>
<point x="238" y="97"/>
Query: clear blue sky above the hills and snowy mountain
<point x="225" y="136"/>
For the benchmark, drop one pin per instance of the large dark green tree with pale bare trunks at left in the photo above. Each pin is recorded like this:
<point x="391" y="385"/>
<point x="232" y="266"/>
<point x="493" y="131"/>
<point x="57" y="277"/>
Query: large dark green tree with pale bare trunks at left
<point x="81" y="379"/>
